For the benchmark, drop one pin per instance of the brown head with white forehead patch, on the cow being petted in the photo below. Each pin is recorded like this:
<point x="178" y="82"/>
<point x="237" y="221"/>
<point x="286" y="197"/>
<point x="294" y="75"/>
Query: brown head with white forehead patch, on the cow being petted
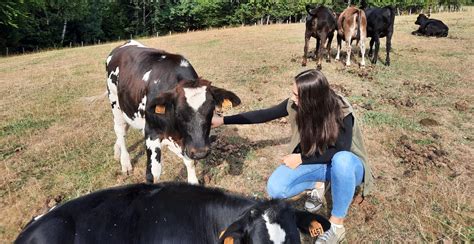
<point x="185" y="112"/>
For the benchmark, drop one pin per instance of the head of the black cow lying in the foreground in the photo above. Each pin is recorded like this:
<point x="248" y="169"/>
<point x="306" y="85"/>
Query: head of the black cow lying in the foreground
<point x="273" y="222"/>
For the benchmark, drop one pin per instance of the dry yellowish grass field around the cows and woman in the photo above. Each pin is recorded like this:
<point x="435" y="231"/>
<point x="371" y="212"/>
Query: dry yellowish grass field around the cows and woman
<point x="416" y="117"/>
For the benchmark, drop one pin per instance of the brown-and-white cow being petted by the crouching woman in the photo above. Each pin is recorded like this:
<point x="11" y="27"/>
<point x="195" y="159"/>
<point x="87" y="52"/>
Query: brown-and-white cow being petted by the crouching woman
<point x="161" y="94"/>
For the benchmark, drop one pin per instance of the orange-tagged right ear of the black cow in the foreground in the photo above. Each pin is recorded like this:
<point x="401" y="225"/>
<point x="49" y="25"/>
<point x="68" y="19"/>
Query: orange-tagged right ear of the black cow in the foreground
<point x="312" y="224"/>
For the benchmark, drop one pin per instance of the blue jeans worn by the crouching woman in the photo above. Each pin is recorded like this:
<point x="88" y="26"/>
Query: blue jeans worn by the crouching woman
<point x="345" y="172"/>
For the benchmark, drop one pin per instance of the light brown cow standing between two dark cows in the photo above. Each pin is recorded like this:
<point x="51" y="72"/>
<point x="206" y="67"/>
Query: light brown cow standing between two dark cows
<point x="351" y="24"/>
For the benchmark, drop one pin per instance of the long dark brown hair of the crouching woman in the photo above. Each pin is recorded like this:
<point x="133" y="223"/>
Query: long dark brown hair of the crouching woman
<point x="319" y="115"/>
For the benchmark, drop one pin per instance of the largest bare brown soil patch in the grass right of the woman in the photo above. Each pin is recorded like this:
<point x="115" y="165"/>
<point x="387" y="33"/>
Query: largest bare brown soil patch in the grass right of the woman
<point x="416" y="157"/>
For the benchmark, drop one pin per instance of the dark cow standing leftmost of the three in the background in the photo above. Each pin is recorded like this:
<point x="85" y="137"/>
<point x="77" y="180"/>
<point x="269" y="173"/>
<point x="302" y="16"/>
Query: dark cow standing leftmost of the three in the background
<point x="320" y="24"/>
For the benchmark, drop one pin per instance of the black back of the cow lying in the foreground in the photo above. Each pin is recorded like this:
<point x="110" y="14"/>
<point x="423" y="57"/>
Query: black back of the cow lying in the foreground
<point x="144" y="213"/>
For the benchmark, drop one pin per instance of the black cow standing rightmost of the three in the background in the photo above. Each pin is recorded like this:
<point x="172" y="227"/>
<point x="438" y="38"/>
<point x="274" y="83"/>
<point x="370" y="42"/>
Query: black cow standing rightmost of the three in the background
<point x="380" y="23"/>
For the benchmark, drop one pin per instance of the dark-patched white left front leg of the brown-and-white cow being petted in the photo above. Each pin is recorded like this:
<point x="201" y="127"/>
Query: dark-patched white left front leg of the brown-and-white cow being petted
<point x="153" y="153"/>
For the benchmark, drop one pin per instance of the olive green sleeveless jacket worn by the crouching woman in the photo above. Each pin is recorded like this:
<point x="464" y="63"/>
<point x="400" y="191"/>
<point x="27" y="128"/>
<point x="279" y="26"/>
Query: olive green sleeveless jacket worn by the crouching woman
<point x="357" y="146"/>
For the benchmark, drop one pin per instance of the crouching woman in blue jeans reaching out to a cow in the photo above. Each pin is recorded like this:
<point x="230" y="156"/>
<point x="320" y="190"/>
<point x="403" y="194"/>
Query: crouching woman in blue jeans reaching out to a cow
<point x="326" y="145"/>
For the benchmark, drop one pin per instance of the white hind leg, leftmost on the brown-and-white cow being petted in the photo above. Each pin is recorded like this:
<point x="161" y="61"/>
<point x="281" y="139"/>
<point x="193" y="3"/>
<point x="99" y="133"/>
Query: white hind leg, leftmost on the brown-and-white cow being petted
<point x="120" y="147"/>
